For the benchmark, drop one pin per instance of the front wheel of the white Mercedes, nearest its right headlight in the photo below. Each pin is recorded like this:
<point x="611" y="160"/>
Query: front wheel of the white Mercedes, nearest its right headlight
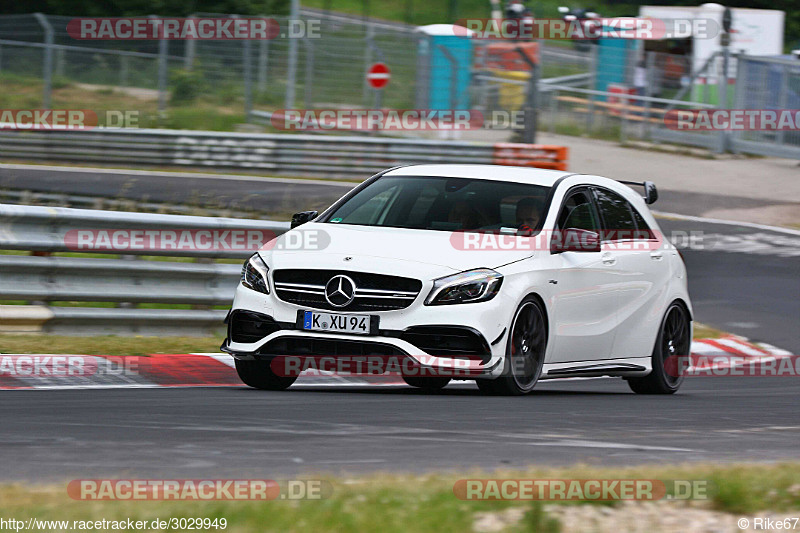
<point x="525" y="351"/>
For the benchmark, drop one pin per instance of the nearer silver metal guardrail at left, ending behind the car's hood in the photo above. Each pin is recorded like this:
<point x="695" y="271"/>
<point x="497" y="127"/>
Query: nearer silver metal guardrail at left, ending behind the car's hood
<point x="126" y="281"/>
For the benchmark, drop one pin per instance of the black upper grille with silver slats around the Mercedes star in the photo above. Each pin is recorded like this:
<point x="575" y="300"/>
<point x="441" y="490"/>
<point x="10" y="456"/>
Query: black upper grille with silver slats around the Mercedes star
<point x="375" y="292"/>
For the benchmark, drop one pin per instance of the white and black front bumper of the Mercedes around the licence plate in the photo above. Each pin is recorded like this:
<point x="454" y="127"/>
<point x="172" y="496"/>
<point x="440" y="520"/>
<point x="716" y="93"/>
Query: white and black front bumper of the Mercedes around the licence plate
<point x="398" y="334"/>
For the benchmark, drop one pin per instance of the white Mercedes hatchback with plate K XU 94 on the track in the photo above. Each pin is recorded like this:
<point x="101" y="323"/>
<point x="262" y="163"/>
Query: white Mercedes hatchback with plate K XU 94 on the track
<point x="513" y="274"/>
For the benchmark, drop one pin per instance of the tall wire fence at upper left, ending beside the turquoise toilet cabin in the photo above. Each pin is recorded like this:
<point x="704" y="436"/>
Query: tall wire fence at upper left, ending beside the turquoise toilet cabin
<point x="331" y="60"/>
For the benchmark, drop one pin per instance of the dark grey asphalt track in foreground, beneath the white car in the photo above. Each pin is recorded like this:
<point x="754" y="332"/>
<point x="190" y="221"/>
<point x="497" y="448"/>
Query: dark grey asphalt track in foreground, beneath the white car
<point x="240" y="432"/>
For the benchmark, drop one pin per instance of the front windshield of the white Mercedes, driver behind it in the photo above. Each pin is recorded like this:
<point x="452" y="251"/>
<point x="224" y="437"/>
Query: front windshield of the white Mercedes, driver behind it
<point x="444" y="204"/>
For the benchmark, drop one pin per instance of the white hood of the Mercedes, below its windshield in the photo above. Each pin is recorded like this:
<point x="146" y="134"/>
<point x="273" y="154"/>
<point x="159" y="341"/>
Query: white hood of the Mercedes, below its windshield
<point x="418" y="253"/>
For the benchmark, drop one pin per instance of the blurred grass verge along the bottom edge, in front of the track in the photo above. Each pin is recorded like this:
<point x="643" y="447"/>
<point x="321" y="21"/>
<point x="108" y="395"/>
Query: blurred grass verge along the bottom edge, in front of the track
<point x="390" y="502"/>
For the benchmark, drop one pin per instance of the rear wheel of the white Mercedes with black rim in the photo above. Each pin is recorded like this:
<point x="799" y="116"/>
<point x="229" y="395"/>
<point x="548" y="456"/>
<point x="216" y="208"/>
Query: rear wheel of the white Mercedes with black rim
<point x="674" y="339"/>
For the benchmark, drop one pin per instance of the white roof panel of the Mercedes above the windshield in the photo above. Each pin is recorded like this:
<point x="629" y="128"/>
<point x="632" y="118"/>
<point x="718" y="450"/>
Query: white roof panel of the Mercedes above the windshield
<point x="534" y="176"/>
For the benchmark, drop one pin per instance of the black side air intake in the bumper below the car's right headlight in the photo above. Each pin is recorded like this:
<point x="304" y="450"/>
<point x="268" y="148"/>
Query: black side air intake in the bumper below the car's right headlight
<point x="448" y="341"/>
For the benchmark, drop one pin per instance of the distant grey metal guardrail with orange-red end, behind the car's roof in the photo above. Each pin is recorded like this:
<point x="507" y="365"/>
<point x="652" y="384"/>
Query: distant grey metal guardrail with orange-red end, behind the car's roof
<point x="277" y="154"/>
